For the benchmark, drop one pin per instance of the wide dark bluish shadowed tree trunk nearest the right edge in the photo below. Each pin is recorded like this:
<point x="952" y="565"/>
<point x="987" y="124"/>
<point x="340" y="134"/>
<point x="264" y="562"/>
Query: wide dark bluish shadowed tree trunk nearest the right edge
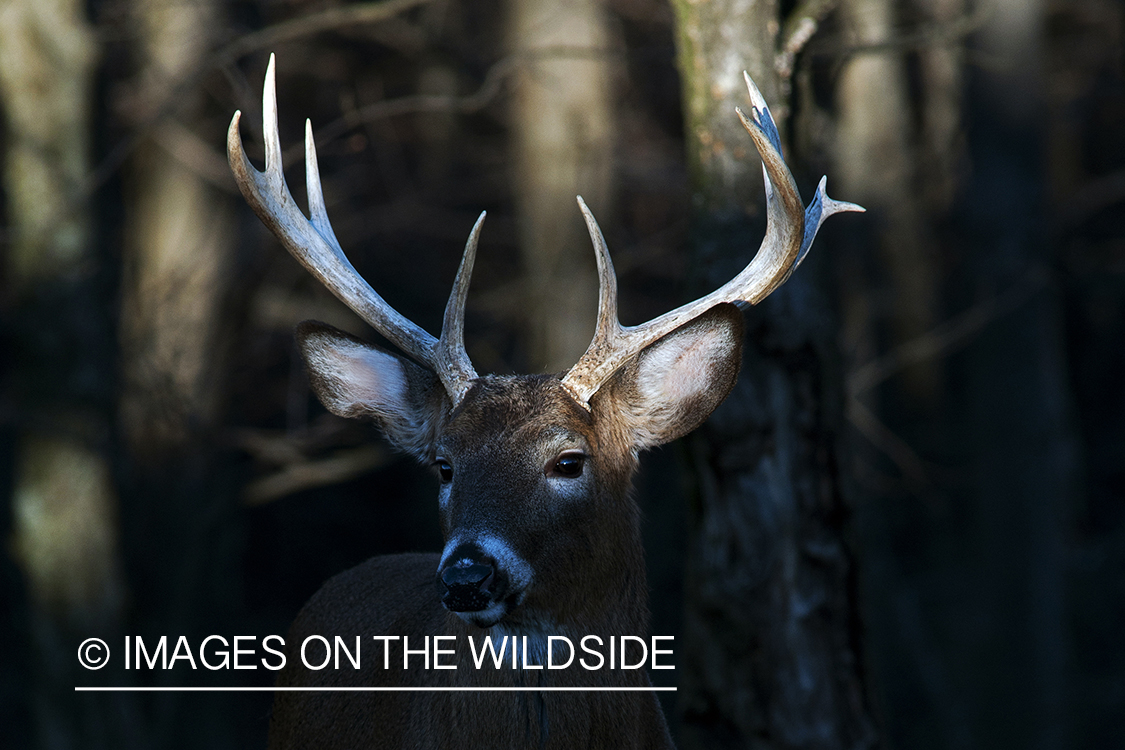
<point x="1020" y="412"/>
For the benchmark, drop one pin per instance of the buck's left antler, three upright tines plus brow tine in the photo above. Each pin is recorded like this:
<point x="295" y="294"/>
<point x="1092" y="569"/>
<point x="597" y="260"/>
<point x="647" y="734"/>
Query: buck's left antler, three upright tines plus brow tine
<point x="314" y="245"/>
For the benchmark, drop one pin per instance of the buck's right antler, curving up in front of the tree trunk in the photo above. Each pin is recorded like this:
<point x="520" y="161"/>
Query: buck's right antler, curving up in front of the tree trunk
<point x="790" y="231"/>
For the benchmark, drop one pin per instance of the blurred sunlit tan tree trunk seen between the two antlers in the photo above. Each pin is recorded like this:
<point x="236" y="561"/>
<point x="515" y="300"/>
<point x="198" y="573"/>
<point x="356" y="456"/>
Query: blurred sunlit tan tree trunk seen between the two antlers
<point x="563" y="131"/>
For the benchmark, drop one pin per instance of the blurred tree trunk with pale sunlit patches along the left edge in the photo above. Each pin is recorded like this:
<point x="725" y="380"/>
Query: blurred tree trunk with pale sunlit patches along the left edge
<point x="65" y="516"/>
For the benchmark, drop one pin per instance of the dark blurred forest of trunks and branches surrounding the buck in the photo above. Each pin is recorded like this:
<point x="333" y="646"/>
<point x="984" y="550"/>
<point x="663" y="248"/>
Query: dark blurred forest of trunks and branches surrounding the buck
<point x="906" y="529"/>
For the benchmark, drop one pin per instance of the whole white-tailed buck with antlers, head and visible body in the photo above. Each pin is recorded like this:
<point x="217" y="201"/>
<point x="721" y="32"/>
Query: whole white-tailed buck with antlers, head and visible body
<point x="543" y="538"/>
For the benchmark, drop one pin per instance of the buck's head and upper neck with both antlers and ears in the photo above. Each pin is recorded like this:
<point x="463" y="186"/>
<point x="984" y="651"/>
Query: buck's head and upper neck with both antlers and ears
<point x="535" y="471"/>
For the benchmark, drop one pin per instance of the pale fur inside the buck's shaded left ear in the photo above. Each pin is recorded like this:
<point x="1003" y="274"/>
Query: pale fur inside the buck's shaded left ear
<point x="358" y="379"/>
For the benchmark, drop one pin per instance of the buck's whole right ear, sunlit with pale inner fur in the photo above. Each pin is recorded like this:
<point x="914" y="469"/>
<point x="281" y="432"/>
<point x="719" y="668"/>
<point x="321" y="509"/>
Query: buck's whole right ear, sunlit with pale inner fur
<point x="673" y="385"/>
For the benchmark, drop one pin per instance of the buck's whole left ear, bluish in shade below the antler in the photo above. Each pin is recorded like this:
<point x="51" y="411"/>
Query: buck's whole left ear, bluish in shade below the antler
<point x="357" y="379"/>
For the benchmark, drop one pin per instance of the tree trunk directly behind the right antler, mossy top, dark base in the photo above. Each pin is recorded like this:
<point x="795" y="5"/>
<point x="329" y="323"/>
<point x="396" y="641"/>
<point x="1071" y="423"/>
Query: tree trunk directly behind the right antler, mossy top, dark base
<point x="770" y="625"/>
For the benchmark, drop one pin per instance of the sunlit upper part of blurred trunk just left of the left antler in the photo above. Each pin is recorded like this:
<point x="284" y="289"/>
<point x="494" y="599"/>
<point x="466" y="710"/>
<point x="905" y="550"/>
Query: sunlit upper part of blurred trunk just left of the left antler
<point x="178" y="248"/>
